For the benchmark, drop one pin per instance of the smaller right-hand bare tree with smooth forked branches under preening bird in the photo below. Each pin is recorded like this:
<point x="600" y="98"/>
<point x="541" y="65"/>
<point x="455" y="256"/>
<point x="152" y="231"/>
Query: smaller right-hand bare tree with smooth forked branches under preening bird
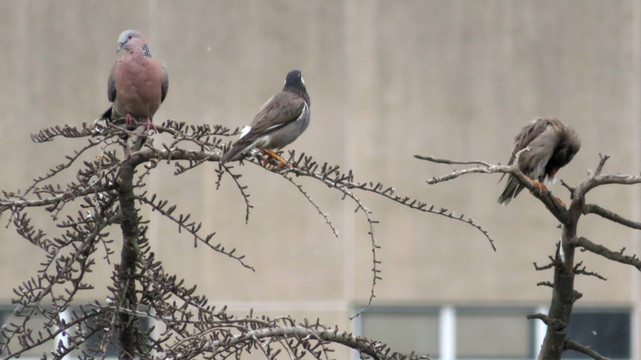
<point x="564" y="262"/>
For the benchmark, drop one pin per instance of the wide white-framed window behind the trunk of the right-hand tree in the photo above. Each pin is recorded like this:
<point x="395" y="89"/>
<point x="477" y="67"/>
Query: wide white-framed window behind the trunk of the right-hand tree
<point x="472" y="333"/>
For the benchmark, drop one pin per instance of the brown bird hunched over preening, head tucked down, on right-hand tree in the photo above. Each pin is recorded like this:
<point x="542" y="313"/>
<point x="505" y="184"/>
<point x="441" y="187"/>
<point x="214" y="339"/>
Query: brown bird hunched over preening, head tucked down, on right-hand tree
<point x="540" y="149"/>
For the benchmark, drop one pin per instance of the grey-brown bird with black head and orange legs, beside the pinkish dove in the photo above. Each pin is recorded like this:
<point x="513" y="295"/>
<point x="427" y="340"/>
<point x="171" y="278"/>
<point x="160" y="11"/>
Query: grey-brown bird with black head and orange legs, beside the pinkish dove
<point x="278" y="123"/>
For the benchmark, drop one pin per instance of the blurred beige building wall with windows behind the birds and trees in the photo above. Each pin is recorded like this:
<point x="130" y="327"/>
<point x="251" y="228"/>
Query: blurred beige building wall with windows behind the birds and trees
<point x="387" y="80"/>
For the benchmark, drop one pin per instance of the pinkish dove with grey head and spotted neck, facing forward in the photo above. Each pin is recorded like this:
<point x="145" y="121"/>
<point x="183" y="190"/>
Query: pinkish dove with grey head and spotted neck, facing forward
<point x="138" y="82"/>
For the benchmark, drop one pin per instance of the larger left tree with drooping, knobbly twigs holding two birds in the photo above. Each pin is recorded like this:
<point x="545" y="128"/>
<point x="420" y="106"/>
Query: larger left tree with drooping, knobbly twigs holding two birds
<point x="107" y="194"/>
